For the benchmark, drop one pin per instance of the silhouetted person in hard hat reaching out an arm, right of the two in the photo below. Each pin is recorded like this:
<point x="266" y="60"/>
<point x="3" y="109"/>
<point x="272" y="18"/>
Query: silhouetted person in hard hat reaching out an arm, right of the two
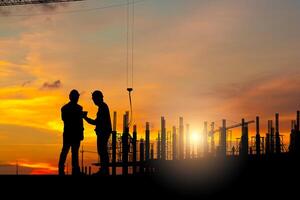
<point x="103" y="130"/>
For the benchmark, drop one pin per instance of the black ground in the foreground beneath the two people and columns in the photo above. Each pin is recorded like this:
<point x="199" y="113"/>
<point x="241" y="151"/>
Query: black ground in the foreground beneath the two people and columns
<point x="232" y="178"/>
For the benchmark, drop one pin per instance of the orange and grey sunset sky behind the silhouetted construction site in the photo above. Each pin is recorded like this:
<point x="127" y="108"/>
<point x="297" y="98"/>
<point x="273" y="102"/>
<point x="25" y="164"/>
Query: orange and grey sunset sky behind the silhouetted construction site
<point x="200" y="59"/>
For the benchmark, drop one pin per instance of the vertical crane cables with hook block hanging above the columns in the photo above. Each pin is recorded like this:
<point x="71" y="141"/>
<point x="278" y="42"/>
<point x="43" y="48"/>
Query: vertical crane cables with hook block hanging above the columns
<point x="130" y="29"/>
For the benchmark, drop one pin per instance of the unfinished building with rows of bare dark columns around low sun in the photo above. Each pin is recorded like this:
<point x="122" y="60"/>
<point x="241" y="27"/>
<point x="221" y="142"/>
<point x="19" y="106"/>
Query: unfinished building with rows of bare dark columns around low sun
<point x="128" y="155"/>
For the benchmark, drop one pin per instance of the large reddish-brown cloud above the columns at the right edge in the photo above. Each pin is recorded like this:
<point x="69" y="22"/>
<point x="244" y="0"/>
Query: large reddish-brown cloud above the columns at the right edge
<point x="265" y="95"/>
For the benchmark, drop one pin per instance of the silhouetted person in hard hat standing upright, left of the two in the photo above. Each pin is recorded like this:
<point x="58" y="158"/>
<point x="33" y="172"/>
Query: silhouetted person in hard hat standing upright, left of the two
<point x="72" y="116"/>
